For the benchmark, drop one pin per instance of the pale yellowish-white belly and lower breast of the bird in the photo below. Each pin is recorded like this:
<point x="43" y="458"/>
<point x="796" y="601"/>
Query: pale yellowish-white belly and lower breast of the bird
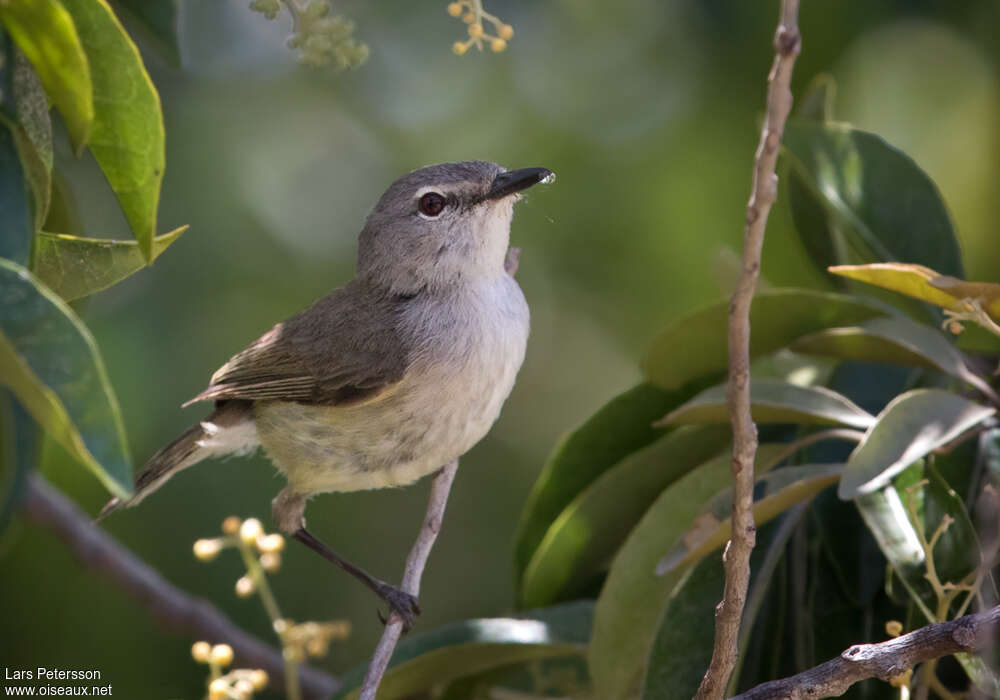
<point x="437" y="413"/>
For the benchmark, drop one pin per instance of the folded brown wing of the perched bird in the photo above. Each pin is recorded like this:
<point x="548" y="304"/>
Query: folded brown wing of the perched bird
<point x="342" y="350"/>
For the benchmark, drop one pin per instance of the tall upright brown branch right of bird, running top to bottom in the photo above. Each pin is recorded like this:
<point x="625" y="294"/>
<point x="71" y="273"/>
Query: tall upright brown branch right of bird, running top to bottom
<point x="764" y="192"/>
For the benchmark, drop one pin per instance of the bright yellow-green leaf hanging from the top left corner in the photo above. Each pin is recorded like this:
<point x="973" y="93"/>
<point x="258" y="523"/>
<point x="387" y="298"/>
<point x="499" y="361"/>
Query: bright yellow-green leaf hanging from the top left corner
<point x="45" y="32"/>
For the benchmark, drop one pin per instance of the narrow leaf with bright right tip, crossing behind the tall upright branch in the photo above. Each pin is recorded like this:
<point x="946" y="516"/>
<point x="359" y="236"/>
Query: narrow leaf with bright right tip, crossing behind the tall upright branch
<point x="774" y="401"/>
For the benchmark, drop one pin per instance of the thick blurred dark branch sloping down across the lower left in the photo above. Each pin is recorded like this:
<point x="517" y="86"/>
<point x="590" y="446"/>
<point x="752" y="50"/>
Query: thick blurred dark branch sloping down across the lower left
<point x="174" y="609"/>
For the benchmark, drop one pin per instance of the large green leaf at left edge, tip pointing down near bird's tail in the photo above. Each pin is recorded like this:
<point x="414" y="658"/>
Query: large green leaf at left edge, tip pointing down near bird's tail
<point x="50" y="361"/>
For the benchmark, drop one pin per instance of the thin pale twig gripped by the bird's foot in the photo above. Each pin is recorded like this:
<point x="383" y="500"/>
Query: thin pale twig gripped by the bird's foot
<point x="415" y="563"/>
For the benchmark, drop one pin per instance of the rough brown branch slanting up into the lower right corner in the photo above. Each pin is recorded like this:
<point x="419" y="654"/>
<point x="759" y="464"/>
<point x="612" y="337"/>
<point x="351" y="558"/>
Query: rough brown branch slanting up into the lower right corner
<point x="885" y="660"/>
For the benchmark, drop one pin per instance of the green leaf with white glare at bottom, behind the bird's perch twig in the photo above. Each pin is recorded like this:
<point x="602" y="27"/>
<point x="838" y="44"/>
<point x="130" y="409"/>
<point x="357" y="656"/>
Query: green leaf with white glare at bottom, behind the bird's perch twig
<point x="470" y="647"/>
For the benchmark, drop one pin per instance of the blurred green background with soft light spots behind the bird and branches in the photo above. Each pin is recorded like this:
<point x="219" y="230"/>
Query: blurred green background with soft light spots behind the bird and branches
<point x="648" y="113"/>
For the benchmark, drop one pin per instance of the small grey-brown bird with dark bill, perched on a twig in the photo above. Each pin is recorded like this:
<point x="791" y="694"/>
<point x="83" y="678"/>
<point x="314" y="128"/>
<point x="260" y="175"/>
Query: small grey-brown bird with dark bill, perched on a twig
<point x="389" y="378"/>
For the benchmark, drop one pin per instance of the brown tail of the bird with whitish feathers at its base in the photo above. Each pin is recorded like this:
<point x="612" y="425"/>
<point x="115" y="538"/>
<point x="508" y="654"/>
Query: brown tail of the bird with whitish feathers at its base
<point x="229" y="429"/>
